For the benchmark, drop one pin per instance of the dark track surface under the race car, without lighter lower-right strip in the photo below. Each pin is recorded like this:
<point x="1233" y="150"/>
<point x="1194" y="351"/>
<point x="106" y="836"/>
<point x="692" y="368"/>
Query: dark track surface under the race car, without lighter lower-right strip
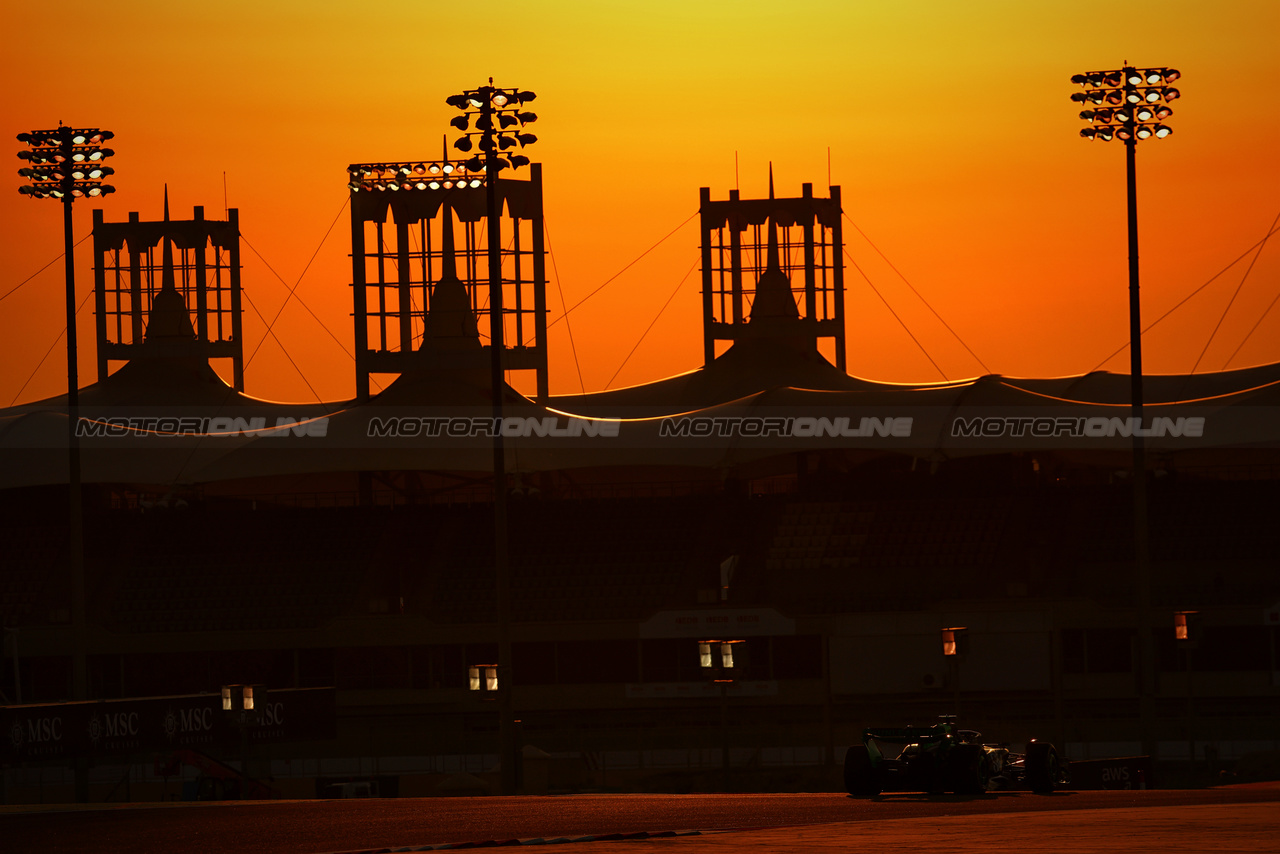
<point x="318" y="826"/>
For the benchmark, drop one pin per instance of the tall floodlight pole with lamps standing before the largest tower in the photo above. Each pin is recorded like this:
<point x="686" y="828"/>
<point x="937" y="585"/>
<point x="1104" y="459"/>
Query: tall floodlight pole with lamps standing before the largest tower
<point x="500" y="121"/>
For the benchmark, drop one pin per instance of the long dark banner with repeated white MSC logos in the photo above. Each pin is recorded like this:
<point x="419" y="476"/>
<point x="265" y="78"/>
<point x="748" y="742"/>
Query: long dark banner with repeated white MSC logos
<point x="68" y="730"/>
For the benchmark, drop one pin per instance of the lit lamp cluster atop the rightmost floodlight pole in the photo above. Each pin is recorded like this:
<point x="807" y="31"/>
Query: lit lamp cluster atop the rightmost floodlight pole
<point x="1131" y="103"/>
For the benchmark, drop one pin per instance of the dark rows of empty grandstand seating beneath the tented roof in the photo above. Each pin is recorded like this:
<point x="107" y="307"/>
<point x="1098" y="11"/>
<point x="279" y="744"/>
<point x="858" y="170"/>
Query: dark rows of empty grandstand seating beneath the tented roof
<point x="213" y="569"/>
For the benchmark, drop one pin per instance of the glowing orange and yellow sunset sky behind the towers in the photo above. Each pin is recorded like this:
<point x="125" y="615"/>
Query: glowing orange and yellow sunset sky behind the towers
<point x="949" y="127"/>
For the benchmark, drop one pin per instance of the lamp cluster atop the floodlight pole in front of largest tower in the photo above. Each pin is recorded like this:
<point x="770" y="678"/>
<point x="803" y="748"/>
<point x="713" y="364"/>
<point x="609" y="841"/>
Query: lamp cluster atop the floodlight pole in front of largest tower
<point x="499" y="122"/>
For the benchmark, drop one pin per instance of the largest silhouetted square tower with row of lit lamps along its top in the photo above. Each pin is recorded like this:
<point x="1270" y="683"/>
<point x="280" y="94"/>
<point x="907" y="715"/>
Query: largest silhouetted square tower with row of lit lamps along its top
<point x="419" y="245"/>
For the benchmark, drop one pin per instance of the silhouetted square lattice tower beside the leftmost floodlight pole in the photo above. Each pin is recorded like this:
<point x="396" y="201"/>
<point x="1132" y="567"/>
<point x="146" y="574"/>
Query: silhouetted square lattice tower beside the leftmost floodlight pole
<point x="185" y="304"/>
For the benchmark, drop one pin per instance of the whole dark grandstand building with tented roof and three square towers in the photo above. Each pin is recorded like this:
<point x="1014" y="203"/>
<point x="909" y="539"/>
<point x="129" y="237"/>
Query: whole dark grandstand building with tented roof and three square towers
<point x="830" y="526"/>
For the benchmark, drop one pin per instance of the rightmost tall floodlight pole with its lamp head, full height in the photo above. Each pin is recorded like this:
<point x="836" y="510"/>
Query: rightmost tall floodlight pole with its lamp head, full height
<point x="1132" y="104"/>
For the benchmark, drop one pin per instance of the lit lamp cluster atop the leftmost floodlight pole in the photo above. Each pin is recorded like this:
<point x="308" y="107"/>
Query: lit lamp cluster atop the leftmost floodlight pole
<point x="66" y="163"/>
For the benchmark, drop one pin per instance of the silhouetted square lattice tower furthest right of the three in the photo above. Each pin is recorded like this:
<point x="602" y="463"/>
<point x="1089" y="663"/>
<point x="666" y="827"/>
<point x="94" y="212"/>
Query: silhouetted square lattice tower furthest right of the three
<point x="744" y="296"/>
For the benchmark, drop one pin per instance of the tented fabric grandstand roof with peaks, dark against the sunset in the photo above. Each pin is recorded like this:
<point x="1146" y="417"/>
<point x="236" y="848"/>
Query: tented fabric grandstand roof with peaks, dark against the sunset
<point x="647" y="426"/>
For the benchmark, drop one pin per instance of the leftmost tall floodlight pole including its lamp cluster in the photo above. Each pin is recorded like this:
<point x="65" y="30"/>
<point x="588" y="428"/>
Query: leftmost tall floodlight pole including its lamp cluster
<point x="67" y="165"/>
